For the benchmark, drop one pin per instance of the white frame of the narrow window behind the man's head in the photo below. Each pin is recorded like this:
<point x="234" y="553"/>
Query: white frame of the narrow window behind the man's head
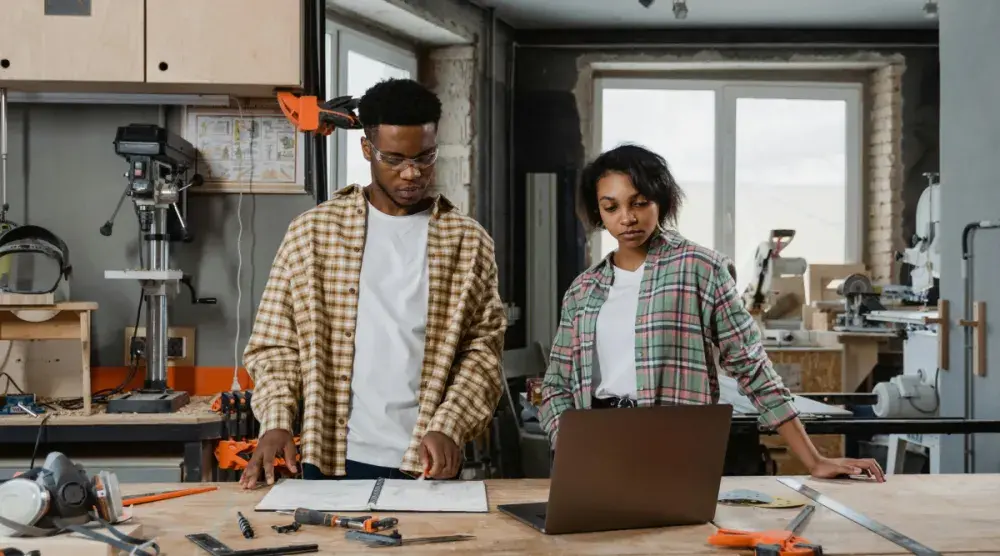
<point x="340" y="40"/>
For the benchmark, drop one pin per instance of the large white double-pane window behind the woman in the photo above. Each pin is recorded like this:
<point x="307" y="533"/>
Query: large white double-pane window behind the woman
<point x="750" y="157"/>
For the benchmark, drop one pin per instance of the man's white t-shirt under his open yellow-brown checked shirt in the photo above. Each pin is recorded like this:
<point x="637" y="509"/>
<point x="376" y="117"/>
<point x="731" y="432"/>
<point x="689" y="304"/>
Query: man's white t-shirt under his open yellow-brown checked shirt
<point x="389" y="338"/>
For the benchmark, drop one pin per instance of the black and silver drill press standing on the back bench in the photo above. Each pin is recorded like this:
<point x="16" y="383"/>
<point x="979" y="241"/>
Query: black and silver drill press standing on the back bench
<point x="157" y="164"/>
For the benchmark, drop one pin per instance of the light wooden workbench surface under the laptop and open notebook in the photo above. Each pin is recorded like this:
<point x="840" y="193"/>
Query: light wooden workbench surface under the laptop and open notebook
<point x="953" y="514"/>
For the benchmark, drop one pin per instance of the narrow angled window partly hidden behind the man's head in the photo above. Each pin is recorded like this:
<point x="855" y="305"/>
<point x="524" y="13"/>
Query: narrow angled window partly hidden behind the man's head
<point x="356" y="62"/>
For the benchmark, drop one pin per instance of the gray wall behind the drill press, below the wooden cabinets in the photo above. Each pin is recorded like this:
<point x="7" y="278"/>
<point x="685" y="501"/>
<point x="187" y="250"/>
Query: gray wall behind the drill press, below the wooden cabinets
<point x="64" y="175"/>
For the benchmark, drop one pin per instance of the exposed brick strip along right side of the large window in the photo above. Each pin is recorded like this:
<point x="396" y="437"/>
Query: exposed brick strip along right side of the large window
<point x="884" y="184"/>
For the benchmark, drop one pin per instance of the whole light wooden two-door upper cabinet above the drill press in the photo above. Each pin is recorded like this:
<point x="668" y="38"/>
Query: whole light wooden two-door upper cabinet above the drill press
<point x="151" y="45"/>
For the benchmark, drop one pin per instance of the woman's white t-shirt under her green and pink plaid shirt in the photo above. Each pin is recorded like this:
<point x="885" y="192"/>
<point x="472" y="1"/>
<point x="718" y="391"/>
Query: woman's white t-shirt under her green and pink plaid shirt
<point x="614" y="373"/>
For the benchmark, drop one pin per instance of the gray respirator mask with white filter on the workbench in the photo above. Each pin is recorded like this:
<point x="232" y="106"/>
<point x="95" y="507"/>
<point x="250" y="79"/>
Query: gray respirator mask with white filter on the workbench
<point x="59" y="497"/>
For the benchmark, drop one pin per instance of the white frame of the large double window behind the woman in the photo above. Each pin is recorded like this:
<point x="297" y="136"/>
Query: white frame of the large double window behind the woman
<point x="727" y="92"/>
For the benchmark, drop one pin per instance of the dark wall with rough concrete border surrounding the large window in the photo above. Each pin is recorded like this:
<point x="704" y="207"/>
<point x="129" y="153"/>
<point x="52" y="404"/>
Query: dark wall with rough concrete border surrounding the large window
<point x="552" y="109"/>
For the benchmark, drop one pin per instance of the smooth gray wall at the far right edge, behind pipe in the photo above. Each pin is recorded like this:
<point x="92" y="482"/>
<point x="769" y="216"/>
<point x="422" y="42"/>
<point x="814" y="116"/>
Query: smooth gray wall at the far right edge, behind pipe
<point x="970" y="139"/>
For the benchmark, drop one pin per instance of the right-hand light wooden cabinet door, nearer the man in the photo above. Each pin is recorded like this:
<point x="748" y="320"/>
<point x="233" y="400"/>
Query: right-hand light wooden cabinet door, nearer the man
<point x="232" y="42"/>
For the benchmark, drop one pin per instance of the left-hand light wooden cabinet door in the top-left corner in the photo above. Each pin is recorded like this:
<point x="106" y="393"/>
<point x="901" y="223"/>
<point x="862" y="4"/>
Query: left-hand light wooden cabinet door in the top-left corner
<point x="96" y="40"/>
